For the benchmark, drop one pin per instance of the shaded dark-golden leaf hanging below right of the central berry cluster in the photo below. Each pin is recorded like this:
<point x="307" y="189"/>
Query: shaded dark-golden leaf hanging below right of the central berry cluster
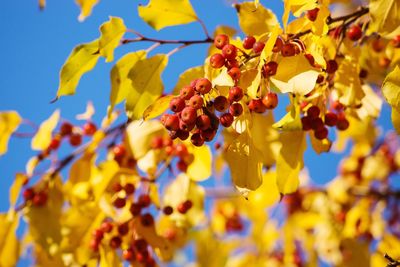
<point x="245" y="162"/>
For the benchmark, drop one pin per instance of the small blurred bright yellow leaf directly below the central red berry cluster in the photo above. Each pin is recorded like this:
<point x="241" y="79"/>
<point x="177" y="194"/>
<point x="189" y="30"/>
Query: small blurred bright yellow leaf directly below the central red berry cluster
<point x="200" y="168"/>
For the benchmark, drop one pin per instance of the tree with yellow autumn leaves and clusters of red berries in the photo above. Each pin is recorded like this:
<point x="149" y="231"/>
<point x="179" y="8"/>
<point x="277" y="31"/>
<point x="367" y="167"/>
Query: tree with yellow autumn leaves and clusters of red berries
<point x="135" y="192"/>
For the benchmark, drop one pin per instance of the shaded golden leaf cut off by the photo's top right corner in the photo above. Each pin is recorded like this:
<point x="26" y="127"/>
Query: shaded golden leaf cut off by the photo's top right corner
<point x="385" y="16"/>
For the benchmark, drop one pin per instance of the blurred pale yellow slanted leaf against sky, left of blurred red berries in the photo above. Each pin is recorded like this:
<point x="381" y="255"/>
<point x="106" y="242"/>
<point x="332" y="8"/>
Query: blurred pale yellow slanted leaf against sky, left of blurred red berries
<point x="42" y="138"/>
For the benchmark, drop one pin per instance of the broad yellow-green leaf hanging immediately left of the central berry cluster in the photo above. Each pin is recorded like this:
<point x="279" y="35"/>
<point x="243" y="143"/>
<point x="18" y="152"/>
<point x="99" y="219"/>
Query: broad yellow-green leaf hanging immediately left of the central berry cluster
<point x="147" y="86"/>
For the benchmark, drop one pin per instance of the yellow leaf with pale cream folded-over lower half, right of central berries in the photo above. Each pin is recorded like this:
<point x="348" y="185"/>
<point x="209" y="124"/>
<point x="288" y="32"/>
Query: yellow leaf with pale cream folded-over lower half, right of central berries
<point x="295" y="75"/>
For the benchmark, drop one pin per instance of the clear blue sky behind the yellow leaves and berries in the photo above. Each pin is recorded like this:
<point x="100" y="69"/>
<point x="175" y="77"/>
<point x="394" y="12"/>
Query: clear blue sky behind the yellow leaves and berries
<point x="35" y="44"/>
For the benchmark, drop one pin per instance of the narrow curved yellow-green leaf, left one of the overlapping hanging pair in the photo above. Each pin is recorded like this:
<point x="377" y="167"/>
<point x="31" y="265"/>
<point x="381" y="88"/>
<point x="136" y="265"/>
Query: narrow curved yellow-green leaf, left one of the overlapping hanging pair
<point x="120" y="84"/>
